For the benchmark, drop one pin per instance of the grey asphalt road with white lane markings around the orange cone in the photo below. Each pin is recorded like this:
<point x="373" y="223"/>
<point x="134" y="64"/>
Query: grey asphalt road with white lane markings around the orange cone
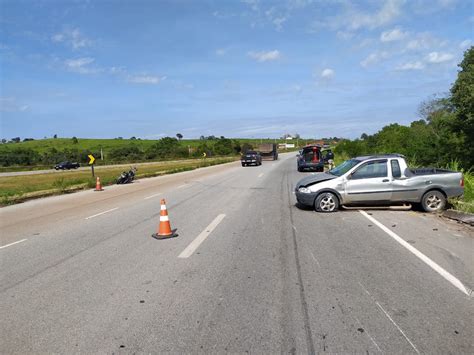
<point x="80" y="273"/>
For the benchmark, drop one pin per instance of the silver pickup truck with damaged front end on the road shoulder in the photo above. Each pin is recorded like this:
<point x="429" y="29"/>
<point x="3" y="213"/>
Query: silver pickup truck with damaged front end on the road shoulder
<point x="379" y="180"/>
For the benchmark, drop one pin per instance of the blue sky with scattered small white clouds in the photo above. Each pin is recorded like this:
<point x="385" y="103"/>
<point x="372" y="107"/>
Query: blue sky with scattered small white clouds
<point x="250" y="68"/>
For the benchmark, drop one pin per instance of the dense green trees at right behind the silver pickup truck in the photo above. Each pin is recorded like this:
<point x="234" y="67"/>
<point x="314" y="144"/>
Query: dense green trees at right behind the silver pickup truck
<point x="444" y="133"/>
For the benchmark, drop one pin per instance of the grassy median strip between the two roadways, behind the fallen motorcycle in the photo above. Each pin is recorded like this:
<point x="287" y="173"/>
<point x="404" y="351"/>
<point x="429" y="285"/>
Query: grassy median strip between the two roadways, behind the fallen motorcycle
<point x="15" y="189"/>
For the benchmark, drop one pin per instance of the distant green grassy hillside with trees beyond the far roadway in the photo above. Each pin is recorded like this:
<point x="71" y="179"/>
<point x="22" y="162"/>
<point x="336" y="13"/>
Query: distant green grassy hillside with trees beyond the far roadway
<point x="44" y="153"/>
